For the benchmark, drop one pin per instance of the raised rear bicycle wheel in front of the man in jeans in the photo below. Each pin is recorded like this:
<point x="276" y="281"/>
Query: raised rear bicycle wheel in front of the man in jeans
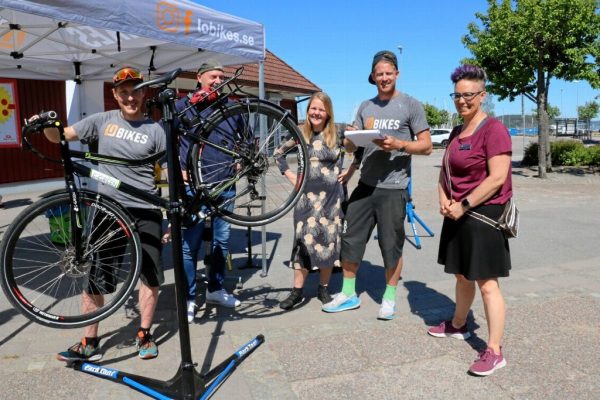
<point x="263" y="194"/>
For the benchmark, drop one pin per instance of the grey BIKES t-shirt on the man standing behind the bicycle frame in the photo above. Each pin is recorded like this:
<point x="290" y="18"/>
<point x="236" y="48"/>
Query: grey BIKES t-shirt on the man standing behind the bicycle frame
<point x="119" y="137"/>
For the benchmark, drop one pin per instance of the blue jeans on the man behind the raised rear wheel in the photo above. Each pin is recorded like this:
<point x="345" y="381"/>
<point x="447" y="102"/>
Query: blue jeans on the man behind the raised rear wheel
<point x="192" y="241"/>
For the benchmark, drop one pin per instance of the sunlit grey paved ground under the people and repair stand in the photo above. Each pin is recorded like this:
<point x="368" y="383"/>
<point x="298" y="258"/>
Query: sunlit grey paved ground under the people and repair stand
<point x="552" y="333"/>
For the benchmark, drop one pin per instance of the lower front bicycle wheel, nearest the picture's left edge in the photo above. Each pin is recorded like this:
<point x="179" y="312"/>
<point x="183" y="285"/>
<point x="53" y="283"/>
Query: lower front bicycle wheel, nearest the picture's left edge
<point x="41" y="276"/>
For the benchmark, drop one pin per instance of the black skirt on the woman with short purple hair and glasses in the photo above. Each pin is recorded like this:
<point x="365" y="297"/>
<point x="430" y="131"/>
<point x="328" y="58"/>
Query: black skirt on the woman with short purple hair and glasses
<point x="473" y="248"/>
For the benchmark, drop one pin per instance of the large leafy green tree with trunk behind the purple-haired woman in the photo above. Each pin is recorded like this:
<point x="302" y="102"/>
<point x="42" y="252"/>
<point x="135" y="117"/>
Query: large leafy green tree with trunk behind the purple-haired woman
<point x="523" y="44"/>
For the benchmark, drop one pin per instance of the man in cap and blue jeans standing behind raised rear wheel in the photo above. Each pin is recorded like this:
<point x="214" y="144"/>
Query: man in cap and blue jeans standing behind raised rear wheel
<point x="210" y="75"/>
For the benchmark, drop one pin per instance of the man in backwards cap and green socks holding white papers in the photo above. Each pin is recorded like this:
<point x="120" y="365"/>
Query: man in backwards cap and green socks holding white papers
<point x="381" y="195"/>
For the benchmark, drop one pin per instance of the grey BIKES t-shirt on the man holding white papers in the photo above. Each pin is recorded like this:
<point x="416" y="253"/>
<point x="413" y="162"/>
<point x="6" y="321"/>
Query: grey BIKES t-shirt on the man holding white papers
<point x="402" y="117"/>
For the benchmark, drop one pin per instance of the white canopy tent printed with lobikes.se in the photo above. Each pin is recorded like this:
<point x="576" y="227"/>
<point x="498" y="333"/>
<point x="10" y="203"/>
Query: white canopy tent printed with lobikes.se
<point x="86" y="41"/>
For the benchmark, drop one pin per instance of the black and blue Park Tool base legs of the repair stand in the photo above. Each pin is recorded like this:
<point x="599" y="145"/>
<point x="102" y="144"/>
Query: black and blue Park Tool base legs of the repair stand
<point x="180" y="386"/>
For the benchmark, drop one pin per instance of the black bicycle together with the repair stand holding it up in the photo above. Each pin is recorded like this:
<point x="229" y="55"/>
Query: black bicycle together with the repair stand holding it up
<point x="43" y="279"/>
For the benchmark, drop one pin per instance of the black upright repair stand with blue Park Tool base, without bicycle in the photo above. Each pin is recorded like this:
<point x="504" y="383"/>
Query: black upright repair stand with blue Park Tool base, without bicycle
<point x="187" y="382"/>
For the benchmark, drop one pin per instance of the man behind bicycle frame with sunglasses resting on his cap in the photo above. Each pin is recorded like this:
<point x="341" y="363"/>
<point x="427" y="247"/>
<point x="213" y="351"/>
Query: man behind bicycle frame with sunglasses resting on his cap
<point x="124" y="133"/>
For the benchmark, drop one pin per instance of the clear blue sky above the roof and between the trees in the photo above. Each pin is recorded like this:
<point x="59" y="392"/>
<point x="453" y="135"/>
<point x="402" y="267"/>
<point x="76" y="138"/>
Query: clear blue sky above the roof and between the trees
<point x="332" y="44"/>
